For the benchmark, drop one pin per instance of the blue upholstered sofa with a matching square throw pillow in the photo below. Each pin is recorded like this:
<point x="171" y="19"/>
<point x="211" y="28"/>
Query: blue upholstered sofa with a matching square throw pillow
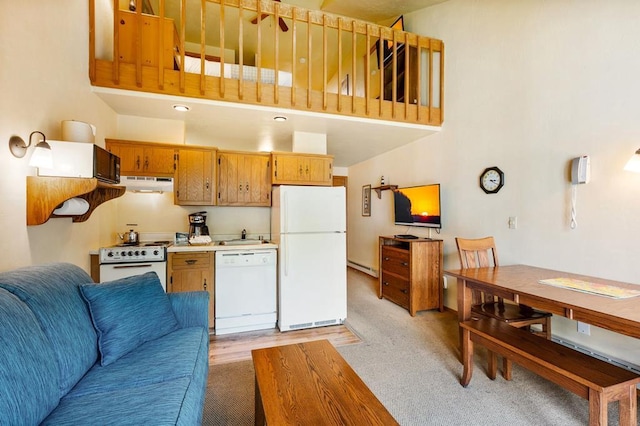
<point x="77" y="353"/>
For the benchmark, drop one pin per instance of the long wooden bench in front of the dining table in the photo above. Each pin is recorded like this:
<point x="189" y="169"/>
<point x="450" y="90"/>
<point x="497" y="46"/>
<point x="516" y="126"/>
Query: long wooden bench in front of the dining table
<point x="595" y="380"/>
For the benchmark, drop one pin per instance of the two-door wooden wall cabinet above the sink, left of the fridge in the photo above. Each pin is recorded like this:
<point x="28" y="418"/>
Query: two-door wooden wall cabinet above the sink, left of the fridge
<point x="244" y="179"/>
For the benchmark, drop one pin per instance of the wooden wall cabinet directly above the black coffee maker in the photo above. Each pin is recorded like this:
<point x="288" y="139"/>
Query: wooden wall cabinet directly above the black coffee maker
<point x="195" y="177"/>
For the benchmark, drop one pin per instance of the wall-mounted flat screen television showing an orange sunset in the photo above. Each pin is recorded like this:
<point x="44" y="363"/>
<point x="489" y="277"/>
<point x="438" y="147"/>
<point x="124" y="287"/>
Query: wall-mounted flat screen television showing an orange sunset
<point x="417" y="206"/>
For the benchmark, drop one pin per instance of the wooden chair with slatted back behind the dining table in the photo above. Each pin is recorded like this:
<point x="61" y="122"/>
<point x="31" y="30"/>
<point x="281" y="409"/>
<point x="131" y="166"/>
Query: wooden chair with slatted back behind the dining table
<point x="480" y="253"/>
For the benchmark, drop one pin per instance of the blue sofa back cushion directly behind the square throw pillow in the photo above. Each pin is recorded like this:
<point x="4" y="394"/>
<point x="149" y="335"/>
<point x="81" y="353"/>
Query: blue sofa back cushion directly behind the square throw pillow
<point x="51" y="292"/>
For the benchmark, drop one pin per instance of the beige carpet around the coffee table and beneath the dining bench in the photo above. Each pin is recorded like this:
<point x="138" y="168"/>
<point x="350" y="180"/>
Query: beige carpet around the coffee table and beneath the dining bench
<point x="411" y="365"/>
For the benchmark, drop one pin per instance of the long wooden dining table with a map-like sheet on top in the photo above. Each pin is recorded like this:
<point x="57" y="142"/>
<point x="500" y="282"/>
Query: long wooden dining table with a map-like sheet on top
<point x="521" y="284"/>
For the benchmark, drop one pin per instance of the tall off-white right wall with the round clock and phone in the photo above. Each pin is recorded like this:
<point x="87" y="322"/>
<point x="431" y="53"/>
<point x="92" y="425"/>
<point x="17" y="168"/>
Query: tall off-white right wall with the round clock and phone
<point x="528" y="86"/>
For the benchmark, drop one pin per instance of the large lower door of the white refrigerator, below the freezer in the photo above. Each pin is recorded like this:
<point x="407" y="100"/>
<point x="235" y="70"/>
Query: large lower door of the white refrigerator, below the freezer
<point x="313" y="280"/>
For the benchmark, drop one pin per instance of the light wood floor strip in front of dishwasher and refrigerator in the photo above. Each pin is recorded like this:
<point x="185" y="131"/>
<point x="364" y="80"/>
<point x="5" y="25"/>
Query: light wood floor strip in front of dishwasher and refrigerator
<point x="238" y="346"/>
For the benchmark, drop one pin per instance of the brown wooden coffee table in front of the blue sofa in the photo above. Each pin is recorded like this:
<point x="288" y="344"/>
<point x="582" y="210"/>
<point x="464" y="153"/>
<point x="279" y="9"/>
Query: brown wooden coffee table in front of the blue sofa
<point x="311" y="384"/>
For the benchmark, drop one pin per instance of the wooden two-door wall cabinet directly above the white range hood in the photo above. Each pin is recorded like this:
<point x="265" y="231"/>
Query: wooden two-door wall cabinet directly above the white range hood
<point x="143" y="158"/>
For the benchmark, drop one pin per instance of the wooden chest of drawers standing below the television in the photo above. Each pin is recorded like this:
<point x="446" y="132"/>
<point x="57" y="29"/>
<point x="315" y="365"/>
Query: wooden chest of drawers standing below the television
<point x="411" y="273"/>
